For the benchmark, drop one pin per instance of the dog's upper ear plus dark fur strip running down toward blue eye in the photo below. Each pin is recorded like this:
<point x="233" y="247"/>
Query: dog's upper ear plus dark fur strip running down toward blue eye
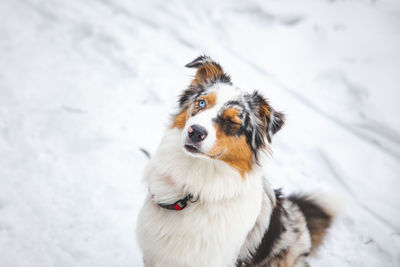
<point x="208" y="72"/>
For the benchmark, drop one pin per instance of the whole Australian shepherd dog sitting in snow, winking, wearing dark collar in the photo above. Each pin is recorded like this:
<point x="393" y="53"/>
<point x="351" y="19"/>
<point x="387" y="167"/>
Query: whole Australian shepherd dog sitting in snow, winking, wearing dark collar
<point x="208" y="203"/>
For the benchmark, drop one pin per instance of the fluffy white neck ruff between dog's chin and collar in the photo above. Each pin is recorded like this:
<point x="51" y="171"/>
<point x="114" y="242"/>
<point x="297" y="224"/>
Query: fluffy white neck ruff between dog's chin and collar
<point x="172" y="174"/>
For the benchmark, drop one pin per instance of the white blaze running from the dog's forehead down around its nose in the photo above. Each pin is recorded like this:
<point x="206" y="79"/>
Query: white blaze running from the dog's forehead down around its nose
<point x="224" y="93"/>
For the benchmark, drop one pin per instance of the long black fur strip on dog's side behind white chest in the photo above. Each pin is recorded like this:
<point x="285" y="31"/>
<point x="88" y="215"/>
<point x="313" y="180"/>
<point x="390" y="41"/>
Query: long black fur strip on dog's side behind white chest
<point x="271" y="236"/>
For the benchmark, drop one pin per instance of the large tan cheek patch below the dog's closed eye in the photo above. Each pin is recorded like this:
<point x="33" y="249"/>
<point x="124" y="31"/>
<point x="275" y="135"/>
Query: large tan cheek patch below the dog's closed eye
<point x="235" y="151"/>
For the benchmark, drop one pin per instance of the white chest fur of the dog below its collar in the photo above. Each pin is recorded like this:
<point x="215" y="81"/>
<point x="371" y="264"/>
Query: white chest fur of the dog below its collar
<point x="200" y="235"/>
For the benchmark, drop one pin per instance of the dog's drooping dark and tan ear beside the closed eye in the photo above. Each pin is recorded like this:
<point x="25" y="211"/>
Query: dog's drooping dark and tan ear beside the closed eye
<point x="272" y="120"/>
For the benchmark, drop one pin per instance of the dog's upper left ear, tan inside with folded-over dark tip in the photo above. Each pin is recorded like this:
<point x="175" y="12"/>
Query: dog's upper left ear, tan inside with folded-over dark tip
<point x="208" y="71"/>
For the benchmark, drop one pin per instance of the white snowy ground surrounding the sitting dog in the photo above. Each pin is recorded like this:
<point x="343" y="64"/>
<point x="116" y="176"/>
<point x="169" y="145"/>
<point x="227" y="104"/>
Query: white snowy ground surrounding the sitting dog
<point x="84" y="84"/>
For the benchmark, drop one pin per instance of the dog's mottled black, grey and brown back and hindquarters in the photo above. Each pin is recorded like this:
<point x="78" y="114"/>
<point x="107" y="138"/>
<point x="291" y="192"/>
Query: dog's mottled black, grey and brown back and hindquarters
<point x="297" y="226"/>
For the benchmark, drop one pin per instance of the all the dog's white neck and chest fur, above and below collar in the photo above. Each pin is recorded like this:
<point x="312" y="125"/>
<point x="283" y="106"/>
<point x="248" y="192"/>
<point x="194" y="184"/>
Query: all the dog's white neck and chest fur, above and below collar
<point x="209" y="232"/>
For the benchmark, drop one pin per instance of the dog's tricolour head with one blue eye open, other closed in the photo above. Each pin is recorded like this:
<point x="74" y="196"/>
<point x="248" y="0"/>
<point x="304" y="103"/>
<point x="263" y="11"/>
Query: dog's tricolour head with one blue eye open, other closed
<point x="220" y="122"/>
